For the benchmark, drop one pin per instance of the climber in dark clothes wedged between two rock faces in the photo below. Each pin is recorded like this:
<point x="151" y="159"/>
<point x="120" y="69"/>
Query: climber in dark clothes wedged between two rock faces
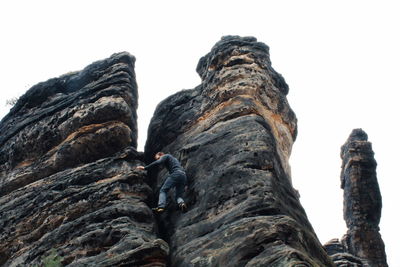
<point x="176" y="178"/>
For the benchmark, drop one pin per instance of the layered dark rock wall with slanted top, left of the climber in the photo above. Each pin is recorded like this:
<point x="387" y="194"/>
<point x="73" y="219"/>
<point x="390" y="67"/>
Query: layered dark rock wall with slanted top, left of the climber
<point x="67" y="182"/>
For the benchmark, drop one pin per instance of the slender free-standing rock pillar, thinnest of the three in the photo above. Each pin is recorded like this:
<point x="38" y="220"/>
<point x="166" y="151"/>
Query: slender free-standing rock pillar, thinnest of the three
<point x="362" y="201"/>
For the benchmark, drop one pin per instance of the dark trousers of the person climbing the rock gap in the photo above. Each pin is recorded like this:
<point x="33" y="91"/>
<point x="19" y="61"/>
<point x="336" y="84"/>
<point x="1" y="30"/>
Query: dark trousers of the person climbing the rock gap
<point x="176" y="179"/>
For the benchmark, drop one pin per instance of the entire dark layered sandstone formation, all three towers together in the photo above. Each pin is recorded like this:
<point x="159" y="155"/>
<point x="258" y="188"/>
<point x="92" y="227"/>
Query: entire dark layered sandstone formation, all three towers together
<point x="68" y="181"/>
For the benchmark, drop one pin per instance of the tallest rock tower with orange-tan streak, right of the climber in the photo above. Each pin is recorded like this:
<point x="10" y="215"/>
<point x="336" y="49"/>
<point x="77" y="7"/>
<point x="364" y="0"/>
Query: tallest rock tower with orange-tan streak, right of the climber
<point x="234" y="134"/>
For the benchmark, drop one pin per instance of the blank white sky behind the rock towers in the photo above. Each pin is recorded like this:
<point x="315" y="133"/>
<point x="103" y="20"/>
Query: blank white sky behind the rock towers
<point x="340" y="59"/>
